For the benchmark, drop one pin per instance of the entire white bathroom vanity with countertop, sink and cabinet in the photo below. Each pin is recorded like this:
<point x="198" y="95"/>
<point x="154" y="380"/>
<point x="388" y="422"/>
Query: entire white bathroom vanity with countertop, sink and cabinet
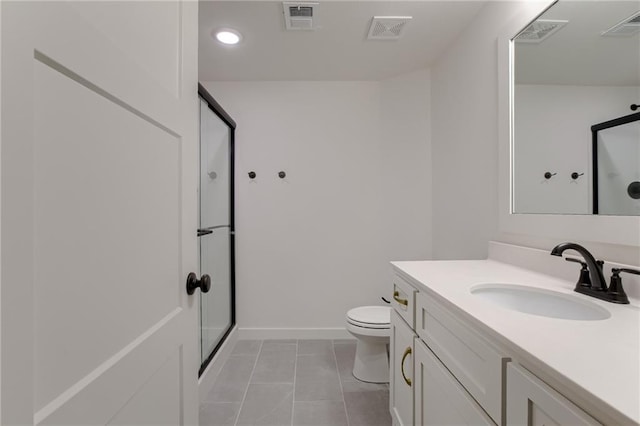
<point x="462" y="355"/>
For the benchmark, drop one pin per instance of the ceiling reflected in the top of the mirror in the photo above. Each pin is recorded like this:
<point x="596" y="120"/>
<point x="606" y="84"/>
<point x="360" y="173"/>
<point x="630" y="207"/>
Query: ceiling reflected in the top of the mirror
<point x="577" y="54"/>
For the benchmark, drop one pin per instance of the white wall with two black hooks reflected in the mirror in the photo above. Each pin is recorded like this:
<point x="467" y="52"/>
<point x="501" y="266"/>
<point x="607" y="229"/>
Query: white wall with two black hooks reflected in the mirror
<point x="553" y="133"/>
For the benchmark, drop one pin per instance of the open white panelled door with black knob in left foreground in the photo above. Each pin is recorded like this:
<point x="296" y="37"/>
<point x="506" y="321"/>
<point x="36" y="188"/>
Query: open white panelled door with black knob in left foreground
<point x="99" y="125"/>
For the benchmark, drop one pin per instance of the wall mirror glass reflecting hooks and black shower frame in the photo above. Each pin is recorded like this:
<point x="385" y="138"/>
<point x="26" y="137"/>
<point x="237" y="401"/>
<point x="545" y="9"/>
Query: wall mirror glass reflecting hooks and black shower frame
<point x="576" y="68"/>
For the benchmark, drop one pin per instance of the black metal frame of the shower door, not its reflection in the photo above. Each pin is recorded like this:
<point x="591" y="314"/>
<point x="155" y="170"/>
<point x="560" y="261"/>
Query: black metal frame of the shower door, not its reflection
<point x="226" y="118"/>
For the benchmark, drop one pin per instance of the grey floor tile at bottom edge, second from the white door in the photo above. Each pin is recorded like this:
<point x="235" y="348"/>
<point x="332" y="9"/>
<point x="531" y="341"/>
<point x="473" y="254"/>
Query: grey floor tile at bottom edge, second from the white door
<point x="267" y="404"/>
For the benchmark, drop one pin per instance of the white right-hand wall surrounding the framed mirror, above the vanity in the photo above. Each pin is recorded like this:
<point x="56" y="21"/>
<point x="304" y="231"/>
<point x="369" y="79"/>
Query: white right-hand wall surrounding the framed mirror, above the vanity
<point x="464" y="138"/>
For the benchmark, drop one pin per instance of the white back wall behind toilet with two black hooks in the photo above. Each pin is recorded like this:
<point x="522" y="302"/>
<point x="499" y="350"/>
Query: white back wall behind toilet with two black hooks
<point x="356" y="195"/>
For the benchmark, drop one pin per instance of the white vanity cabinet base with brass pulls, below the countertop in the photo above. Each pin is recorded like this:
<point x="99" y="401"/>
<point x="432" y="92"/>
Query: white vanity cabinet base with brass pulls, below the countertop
<point x="445" y="370"/>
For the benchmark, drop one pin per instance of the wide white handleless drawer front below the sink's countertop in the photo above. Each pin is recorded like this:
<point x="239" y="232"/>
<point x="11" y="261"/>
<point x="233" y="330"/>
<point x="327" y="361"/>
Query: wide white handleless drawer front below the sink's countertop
<point x="471" y="359"/>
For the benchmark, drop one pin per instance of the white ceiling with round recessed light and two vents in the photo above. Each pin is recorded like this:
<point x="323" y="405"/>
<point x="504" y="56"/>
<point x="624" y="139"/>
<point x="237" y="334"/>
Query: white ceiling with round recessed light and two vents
<point x="336" y="50"/>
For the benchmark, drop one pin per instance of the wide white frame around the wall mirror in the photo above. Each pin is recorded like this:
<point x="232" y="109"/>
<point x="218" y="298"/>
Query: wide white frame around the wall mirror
<point x="619" y="230"/>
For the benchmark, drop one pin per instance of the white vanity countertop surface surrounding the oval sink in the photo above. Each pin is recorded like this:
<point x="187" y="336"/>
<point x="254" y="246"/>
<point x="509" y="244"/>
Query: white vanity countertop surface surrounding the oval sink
<point x="594" y="363"/>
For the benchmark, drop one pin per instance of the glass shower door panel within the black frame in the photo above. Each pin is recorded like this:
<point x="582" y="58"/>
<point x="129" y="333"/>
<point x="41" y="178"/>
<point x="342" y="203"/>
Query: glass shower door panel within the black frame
<point x="215" y="230"/>
